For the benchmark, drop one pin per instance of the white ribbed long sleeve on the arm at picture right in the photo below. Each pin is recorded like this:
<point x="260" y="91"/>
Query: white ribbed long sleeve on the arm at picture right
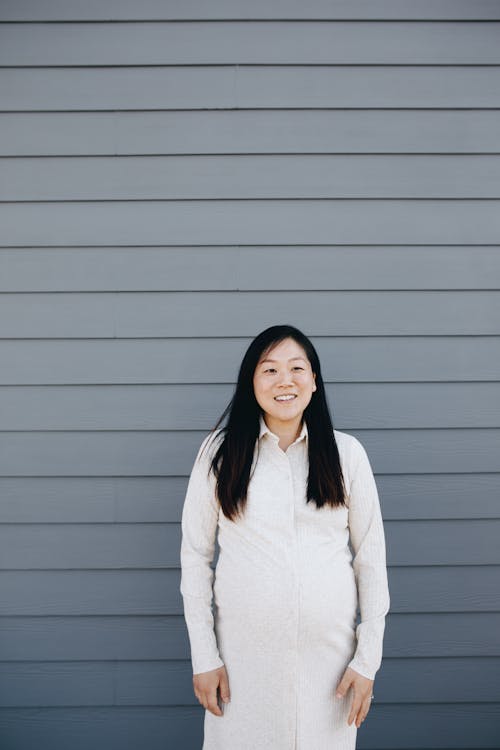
<point x="369" y="564"/>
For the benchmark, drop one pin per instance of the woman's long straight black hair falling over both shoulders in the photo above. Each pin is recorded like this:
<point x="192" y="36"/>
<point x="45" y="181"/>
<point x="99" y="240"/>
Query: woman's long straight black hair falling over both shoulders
<point x="232" y="461"/>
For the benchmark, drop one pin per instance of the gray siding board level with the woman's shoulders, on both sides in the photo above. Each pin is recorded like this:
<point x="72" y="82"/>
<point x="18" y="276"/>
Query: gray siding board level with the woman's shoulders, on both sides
<point x="163" y="453"/>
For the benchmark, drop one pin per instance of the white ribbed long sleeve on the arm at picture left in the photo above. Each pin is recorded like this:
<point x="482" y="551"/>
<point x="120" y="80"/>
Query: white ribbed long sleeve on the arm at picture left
<point x="199" y="528"/>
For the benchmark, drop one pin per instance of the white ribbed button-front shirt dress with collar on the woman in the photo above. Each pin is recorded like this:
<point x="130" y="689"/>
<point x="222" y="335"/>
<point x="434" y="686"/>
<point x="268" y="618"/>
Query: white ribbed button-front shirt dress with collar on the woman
<point x="285" y="594"/>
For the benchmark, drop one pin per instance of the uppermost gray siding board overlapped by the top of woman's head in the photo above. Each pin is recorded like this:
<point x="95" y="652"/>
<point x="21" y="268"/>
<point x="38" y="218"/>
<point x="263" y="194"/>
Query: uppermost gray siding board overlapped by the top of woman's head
<point x="200" y="314"/>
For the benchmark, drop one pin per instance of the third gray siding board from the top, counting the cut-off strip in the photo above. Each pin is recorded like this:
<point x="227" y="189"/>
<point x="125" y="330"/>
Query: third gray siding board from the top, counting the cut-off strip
<point x="254" y="86"/>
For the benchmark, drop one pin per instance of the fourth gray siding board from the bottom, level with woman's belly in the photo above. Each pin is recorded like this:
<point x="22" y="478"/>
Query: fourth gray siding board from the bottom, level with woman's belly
<point x="427" y="589"/>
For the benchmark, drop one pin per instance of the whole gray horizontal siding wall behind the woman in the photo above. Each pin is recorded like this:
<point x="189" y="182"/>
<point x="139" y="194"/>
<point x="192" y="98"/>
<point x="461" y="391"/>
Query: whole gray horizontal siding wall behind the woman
<point x="174" y="177"/>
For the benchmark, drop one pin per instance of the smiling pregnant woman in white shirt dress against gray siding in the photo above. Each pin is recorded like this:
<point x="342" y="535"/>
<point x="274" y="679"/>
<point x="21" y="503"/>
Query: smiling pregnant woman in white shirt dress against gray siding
<point x="280" y="664"/>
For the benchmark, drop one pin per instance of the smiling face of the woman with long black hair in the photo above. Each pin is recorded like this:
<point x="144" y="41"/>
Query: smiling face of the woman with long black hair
<point x="282" y="371"/>
